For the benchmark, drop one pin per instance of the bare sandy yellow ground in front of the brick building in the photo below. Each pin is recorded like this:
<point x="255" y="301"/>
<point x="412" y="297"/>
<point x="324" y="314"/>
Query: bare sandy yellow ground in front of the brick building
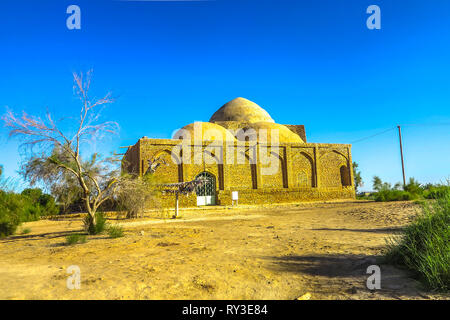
<point x="277" y="252"/>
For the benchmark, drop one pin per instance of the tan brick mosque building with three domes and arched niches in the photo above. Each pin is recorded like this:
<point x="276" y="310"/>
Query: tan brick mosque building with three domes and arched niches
<point x="244" y="155"/>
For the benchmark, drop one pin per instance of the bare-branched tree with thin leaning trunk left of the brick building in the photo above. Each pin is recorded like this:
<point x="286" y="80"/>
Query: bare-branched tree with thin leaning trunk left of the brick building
<point x="54" y="155"/>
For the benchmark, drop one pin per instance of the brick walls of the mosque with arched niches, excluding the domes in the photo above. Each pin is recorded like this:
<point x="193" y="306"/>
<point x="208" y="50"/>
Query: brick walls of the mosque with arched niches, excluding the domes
<point x="306" y="171"/>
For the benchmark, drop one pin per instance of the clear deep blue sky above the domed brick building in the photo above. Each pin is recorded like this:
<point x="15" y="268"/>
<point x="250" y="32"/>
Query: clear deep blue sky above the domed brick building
<point x="306" y="62"/>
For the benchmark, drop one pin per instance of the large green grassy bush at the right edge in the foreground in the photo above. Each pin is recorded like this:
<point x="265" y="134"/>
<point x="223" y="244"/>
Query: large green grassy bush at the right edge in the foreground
<point x="424" y="247"/>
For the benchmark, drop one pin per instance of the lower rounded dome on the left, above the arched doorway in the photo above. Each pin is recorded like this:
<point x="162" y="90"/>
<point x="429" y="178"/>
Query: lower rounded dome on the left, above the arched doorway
<point x="204" y="131"/>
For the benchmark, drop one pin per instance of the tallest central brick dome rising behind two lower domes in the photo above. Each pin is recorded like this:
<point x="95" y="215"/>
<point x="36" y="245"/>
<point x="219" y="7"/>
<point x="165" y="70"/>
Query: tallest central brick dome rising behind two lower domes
<point x="241" y="110"/>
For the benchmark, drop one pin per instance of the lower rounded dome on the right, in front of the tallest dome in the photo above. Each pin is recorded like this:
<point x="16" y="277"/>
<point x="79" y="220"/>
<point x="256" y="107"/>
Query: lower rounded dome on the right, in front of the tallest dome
<point x="284" y="134"/>
